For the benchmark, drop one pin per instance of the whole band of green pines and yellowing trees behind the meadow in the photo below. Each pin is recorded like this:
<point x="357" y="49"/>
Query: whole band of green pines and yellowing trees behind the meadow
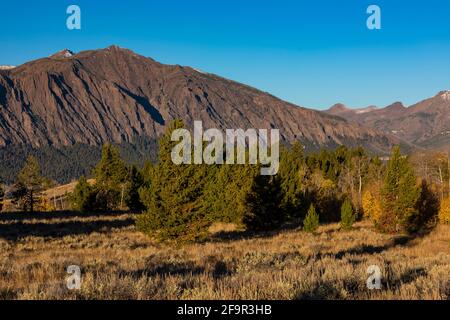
<point x="181" y="202"/>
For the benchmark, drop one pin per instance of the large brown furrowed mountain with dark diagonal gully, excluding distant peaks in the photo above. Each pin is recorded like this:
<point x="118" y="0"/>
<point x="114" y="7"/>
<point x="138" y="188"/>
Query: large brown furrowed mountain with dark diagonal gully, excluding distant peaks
<point x="115" y="94"/>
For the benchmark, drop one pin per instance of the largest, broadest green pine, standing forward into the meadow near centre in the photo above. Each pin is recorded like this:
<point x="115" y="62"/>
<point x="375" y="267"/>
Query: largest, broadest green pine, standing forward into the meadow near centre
<point x="175" y="208"/>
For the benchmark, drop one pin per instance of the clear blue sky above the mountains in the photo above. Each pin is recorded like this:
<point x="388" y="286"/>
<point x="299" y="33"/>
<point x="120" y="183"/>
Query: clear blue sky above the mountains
<point x="312" y="53"/>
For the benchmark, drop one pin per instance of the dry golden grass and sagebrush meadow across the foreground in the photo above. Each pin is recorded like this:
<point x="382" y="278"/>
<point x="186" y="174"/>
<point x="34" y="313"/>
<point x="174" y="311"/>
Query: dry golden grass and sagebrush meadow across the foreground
<point x="118" y="262"/>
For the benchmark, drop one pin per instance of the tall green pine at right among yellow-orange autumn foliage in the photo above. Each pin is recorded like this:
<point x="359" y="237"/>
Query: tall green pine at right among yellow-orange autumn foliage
<point x="399" y="194"/>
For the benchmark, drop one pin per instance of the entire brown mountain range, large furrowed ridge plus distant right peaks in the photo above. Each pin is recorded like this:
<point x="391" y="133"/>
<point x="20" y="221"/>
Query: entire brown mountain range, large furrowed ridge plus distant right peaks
<point x="115" y="95"/>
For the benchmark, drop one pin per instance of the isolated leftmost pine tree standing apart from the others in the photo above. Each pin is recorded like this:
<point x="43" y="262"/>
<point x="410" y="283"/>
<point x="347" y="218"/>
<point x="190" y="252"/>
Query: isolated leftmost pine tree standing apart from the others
<point x="29" y="185"/>
